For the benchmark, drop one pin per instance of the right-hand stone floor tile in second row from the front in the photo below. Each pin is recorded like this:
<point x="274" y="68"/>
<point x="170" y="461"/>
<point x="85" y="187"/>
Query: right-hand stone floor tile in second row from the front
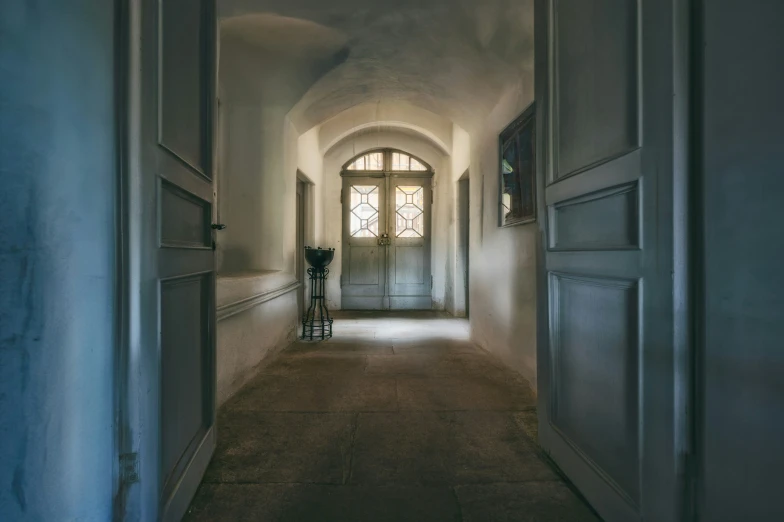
<point x="443" y="448"/>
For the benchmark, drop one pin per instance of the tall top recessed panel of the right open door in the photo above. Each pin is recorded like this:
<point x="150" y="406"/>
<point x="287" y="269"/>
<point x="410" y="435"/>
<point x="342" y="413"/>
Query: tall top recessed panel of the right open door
<point x="595" y="98"/>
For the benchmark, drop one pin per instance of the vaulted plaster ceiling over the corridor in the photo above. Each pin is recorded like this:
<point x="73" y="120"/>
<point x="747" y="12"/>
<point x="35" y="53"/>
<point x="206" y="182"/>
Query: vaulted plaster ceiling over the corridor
<point x="452" y="57"/>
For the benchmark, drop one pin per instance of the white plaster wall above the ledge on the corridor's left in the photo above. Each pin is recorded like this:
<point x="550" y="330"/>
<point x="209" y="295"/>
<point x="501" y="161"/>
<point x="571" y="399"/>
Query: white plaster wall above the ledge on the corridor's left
<point x="257" y="180"/>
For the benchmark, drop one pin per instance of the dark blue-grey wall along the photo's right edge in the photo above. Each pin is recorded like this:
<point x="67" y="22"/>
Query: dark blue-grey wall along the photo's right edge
<point x="742" y="363"/>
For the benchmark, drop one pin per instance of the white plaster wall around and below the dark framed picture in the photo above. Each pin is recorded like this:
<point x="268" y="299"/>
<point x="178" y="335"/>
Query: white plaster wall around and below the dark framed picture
<point x="502" y="260"/>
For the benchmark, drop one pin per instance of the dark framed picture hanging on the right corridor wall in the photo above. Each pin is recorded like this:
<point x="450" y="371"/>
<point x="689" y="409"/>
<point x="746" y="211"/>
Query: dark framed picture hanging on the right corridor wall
<point x="517" y="184"/>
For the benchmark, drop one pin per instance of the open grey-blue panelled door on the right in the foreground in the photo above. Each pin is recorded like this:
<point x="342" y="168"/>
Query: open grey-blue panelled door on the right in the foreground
<point x="610" y="403"/>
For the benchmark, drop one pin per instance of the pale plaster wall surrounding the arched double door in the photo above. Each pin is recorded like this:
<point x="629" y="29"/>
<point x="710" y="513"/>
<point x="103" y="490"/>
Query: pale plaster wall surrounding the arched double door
<point x="366" y="140"/>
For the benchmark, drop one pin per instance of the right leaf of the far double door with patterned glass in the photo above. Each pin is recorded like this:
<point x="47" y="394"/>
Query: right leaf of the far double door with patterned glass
<point x="409" y="280"/>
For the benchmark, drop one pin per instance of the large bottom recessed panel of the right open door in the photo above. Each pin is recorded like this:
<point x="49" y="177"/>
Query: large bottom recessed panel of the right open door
<point x="595" y="319"/>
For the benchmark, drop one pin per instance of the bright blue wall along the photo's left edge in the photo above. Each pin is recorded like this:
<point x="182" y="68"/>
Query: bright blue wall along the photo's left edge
<point x="57" y="240"/>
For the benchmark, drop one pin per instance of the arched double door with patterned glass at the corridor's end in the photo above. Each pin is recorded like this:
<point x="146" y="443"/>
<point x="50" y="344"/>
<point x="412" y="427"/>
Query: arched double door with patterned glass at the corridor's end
<point x="386" y="198"/>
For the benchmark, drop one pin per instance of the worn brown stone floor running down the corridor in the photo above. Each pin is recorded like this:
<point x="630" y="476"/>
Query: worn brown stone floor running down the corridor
<point x="397" y="418"/>
